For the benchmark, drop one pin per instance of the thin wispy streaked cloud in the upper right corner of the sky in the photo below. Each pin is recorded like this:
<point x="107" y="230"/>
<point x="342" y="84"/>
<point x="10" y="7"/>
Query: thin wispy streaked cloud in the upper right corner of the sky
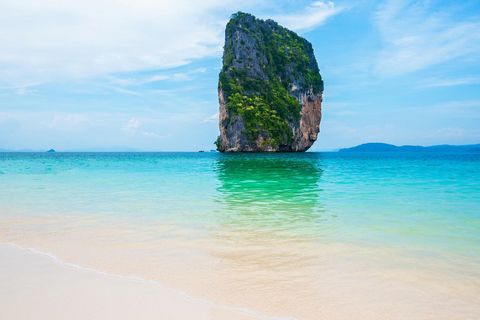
<point x="419" y="36"/>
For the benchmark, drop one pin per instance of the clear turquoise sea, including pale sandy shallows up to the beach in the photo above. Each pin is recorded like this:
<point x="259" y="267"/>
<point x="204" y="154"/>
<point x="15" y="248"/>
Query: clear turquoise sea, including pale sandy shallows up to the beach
<point x="281" y="235"/>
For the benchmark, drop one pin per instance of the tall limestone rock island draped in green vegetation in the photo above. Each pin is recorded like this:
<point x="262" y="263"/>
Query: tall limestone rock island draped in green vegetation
<point x="270" y="89"/>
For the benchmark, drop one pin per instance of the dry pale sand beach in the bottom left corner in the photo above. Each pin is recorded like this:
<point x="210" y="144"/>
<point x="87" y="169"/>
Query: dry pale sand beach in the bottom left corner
<point x="34" y="286"/>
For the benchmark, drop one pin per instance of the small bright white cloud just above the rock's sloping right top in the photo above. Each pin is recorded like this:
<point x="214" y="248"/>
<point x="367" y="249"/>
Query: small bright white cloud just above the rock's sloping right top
<point x="316" y="14"/>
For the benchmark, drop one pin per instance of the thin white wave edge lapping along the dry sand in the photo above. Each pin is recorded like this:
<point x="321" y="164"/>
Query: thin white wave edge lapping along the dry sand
<point x="152" y="282"/>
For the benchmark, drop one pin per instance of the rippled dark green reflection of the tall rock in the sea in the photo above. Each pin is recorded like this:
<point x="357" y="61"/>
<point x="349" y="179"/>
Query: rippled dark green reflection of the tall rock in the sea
<point x="270" y="190"/>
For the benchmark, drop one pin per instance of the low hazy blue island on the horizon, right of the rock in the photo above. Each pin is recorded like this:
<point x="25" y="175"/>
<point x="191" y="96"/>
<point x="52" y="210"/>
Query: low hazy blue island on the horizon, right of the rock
<point x="384" y="147"/>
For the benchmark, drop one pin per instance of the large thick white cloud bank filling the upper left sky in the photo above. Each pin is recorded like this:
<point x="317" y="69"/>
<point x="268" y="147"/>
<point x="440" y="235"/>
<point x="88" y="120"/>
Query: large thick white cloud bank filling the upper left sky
<point x="52" y="39"/>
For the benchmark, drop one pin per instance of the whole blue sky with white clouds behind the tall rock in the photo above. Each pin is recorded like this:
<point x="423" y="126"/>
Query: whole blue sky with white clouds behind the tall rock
<point x="143" y="74"/>
